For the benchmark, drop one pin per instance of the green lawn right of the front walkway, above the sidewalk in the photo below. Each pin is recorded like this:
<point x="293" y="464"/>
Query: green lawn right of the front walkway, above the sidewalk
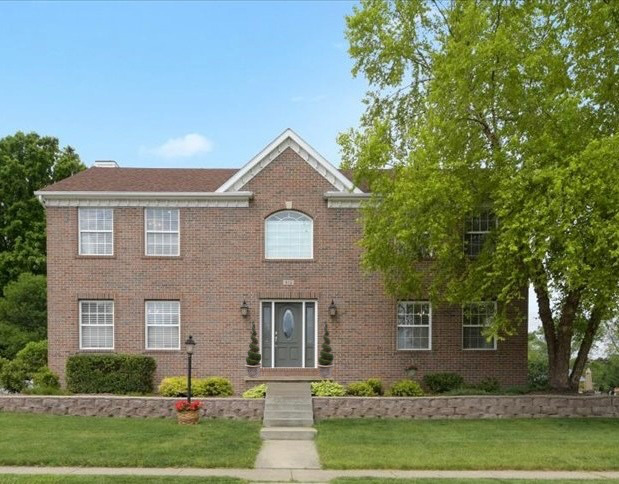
<point x="522" y="444"/>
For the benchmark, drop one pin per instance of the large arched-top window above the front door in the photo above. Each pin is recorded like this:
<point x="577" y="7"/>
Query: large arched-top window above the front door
<point x="289" y="235"/>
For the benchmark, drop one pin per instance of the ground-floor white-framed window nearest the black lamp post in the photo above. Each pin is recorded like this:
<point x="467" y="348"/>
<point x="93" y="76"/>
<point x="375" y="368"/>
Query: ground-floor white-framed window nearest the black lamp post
<point x="163" y="325"/>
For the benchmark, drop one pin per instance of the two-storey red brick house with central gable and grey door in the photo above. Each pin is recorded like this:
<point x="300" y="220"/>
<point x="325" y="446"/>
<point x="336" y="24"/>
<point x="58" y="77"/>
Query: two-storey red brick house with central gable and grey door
<point x="139" y="259"/>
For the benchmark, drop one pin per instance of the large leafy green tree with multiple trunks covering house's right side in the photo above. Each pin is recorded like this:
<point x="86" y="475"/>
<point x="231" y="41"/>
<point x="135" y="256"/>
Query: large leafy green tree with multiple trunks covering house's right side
<point x="504" y="106"/>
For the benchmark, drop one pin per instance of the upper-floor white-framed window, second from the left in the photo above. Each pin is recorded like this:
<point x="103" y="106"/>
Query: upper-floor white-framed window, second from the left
<point x="162" y="229"/>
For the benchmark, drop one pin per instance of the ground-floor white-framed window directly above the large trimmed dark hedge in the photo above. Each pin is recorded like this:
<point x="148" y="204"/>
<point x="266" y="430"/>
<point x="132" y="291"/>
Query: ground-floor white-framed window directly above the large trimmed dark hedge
<point x="97" y="325"/>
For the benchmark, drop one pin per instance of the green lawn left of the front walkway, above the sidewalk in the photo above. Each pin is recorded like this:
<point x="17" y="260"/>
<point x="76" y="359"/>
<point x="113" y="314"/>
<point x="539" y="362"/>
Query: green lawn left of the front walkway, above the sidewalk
<point x="49" y="440"/>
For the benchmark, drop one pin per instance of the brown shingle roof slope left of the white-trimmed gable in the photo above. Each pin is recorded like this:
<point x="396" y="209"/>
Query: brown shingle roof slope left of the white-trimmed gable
<point x="97" y="179"/>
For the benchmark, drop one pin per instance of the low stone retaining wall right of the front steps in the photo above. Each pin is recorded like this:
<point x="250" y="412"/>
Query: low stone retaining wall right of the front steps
<point x="467" y="407"/>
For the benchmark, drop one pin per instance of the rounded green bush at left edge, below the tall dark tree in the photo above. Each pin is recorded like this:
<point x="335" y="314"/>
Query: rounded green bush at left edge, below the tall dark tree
<point x="23" y="313"/>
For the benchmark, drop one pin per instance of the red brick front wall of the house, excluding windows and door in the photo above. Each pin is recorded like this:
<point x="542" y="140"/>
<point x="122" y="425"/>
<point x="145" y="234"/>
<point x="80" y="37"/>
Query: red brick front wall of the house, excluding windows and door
<point x="222" y="262"/>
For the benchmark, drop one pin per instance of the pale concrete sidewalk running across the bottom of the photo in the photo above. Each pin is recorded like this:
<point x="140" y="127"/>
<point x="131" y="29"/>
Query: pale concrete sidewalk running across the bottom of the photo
<point x="307" y="475"/>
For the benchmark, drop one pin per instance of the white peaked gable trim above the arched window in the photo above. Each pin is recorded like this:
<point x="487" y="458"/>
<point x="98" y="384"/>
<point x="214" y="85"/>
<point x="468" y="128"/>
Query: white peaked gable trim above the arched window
<point x="288" y="139"/>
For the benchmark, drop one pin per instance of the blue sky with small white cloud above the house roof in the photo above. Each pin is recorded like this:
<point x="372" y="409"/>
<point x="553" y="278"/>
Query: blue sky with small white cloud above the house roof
<point x="177" y="84"/>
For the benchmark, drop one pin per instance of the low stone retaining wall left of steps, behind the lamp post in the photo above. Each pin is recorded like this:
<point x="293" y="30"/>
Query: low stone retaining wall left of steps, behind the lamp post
<point x="115" y="406"/>
